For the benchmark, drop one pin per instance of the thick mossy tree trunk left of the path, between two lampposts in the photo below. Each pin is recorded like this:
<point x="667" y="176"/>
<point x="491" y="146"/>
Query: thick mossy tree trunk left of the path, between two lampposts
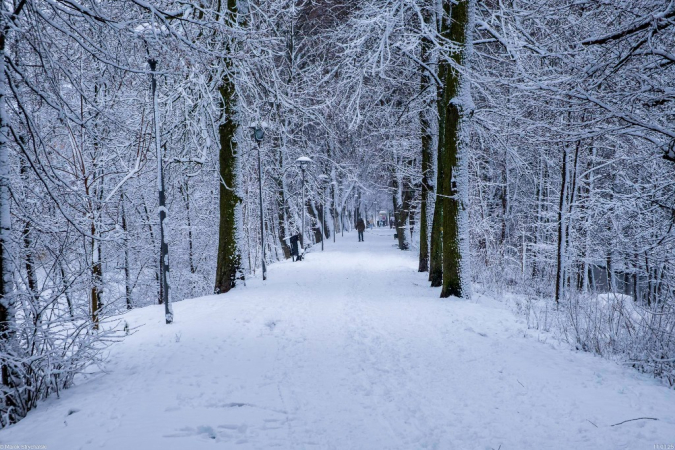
<point x="228" y="265"/>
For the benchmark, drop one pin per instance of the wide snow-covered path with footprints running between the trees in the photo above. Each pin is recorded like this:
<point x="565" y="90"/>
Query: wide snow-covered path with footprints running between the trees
<point x="348" y="350"/>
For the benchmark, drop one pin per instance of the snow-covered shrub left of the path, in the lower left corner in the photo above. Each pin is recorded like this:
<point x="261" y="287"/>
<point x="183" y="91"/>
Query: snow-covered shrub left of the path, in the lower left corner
<point x="51" y="344"/>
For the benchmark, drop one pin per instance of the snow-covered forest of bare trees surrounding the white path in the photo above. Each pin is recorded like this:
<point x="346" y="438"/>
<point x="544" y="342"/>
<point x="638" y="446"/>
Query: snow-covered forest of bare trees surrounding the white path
<point x="521" y="146"/>
